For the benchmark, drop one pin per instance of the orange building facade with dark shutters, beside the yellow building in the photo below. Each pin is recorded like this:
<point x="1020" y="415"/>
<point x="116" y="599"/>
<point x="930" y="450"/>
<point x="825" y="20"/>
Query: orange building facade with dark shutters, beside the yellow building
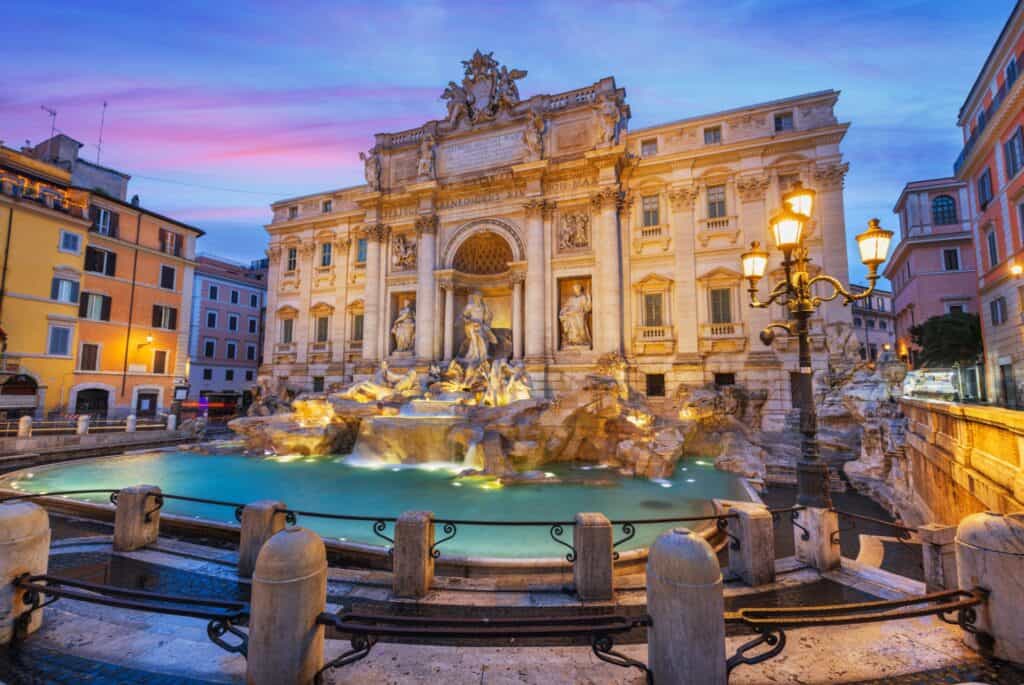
<point x="133" y="348"/>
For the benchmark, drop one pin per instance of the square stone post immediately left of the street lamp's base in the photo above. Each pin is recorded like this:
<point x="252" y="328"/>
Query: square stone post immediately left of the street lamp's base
<point x="754" y="563"/>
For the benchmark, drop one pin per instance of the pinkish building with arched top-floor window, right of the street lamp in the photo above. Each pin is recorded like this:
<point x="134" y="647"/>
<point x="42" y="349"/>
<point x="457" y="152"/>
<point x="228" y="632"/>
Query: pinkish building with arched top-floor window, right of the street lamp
<point x="933" y="268"/>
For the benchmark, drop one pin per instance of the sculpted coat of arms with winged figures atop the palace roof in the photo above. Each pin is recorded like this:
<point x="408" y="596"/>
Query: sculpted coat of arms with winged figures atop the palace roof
<point x="487" y="90"/>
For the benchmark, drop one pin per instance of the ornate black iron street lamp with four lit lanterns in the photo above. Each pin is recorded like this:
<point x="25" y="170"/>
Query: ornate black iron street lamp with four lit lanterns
<point x="795" y="292"/>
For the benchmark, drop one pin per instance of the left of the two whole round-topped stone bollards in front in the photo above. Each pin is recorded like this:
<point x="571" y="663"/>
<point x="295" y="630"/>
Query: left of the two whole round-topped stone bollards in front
<point x="289" y="592"/>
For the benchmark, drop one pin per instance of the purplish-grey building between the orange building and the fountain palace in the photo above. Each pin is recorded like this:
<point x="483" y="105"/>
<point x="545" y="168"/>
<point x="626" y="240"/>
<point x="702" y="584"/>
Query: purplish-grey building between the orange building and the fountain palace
<point x="228" y="321"/>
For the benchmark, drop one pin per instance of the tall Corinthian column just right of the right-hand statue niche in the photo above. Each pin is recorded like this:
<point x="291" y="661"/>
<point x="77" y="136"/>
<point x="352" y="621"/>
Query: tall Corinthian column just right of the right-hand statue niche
<point x="608" y="304"/>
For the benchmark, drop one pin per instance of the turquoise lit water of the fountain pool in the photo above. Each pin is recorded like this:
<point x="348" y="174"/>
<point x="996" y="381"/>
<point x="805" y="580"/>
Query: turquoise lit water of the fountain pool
<point x="329" y="485"/>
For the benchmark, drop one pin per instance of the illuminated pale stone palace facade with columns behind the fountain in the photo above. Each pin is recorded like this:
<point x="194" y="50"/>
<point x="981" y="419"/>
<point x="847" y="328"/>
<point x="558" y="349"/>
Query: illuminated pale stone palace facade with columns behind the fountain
<point x="574" y="238"/>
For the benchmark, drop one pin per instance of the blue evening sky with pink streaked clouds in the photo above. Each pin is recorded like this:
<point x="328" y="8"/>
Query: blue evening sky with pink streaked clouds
<point x="220" y="109"/>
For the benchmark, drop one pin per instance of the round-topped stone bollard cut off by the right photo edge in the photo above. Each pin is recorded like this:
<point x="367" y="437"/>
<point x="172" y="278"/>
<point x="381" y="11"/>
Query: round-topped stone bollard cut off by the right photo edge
<point x="991" y="556"/>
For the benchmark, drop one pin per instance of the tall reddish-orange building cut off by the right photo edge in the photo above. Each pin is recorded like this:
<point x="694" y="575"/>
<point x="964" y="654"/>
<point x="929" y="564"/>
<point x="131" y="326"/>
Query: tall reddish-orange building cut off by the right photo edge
<point x="993" y="166"/>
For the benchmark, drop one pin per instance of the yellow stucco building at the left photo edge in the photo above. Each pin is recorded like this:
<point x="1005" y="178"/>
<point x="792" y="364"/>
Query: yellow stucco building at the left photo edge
<point x="44" y="227"/>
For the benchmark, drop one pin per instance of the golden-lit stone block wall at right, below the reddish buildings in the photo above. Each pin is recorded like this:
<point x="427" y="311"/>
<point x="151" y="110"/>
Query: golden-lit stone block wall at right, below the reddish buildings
<point x="963" y="459"/>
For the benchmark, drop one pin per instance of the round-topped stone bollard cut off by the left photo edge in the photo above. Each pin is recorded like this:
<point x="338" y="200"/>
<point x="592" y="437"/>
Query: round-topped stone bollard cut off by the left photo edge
<point x="25" y="548"/>
